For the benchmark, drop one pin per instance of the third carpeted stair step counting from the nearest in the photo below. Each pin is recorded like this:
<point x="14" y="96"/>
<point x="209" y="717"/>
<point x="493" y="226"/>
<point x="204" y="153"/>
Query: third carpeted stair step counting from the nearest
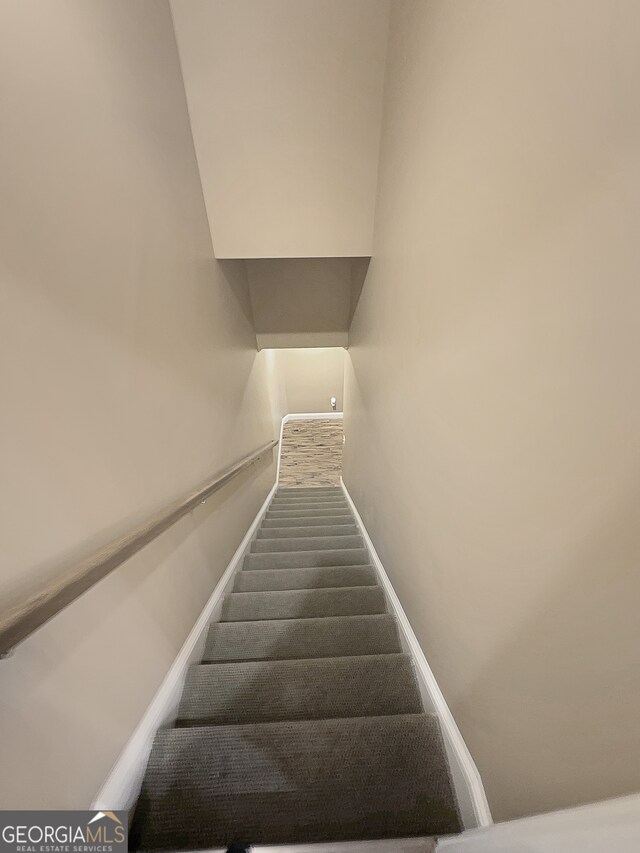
<point x="306" y="638"/>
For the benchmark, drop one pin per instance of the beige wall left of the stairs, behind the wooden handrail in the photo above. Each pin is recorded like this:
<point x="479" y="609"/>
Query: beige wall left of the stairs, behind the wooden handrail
<point x="128" y="374"/>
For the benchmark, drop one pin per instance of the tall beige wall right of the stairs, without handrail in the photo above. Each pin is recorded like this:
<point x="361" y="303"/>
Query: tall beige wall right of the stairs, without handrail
<point x="491" y="409"/>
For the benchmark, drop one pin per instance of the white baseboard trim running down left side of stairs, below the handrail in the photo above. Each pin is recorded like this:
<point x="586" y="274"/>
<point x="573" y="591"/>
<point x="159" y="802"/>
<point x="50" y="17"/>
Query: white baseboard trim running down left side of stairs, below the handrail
<point x="122" y="786"/>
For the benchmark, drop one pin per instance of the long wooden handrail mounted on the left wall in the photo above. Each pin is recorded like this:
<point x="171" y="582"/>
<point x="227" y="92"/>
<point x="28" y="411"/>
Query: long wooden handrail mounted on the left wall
<point x="28" y="615"/>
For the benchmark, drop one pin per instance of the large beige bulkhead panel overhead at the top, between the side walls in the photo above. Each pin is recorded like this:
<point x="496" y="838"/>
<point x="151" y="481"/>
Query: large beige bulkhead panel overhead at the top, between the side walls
<point x="285" y="99"/>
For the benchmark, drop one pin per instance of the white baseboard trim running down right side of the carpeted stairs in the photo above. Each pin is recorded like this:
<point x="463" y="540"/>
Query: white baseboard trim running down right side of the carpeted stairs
<point x="466" y="778"/>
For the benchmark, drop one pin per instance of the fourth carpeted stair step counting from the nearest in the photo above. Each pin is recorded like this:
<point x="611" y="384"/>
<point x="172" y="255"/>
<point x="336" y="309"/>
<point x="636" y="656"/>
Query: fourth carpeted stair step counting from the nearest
<point x="297" y="604"/>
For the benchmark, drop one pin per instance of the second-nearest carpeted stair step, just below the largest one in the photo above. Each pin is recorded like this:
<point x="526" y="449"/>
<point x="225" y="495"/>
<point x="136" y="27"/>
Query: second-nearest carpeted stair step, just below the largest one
<point x="269" y="691"/>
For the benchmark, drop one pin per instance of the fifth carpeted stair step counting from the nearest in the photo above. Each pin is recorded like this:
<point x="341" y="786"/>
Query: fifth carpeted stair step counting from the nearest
<point x="332" y="576"/>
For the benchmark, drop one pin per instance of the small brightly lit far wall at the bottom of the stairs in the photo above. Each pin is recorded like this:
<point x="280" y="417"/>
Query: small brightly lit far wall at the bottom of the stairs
<point x="308" y="378"/>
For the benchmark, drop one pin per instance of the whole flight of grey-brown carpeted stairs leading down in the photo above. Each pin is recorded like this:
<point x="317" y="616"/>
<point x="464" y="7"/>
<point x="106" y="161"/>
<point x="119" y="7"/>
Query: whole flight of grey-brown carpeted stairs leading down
<point x="303" y="723"/>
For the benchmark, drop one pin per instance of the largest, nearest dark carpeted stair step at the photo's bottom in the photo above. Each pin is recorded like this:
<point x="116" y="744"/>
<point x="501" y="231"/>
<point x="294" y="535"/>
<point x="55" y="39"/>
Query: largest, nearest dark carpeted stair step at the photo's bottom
<point x="309" y="781"/>
